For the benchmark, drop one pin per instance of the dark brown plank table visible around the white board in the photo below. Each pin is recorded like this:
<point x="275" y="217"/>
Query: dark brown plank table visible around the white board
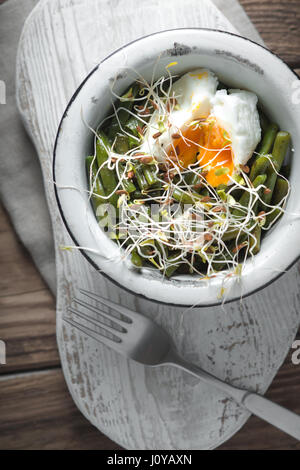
<point x="36" y="410"/>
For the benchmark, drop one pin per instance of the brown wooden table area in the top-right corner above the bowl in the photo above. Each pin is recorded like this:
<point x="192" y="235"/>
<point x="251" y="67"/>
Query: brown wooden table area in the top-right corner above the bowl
<point x="278" y="21"/>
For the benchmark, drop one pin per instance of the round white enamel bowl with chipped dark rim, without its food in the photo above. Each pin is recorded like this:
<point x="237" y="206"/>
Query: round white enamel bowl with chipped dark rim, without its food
<point x="239" y="63"/>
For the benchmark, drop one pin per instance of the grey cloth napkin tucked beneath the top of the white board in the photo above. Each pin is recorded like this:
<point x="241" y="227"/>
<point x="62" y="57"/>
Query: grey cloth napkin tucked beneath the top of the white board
<point x="21" y="186"/>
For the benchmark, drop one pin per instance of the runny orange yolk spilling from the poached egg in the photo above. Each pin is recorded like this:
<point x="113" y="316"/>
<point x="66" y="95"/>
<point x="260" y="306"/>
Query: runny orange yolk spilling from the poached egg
<point x="208" y="143"/>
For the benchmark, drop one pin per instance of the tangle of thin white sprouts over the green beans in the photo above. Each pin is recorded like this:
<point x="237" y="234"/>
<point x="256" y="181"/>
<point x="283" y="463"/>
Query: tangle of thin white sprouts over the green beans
<point x="170" y="225"/>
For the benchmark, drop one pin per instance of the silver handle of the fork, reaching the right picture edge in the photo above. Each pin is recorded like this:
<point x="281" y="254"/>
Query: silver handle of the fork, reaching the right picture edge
<point x="274" y="414"/>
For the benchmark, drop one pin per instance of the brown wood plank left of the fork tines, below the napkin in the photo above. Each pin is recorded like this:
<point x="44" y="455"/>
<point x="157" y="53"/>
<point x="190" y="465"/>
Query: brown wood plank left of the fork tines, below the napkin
<point x="27" y="308"/>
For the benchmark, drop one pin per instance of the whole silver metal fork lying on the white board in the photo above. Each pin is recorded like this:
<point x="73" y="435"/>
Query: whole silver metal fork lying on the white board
<point x="140" y="339"/>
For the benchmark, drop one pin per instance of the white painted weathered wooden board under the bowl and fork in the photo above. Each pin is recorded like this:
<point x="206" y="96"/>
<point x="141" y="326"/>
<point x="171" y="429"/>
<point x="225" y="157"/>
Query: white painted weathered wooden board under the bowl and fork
<point x="244" y="343"/>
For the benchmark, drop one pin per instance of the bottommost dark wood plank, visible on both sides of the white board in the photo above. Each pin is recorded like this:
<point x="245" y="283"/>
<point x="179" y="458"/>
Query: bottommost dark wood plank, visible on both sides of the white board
<point x="45" y="417"/>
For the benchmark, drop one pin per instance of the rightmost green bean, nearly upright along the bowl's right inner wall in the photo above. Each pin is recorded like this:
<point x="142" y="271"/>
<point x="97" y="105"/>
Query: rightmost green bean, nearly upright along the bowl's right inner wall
<point x="280" y="148"/>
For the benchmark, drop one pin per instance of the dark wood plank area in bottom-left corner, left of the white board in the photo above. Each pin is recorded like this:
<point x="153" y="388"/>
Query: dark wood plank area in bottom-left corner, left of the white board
<point x="44" y="417"/>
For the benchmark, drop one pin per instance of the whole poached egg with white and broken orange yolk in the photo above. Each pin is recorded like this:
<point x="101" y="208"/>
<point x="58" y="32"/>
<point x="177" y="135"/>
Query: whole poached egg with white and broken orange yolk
<point x="216" y="129"/>
